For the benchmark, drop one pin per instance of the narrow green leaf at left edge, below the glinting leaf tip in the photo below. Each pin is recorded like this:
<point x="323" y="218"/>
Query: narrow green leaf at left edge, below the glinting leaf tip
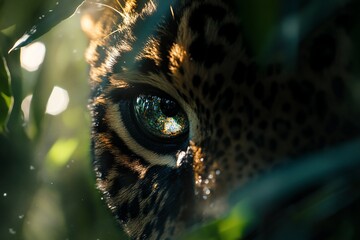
<point x="6" y="99"/>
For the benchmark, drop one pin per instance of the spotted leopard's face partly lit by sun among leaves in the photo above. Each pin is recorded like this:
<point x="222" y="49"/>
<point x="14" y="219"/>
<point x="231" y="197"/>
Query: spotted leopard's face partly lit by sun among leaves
<point x="182" y="113"/>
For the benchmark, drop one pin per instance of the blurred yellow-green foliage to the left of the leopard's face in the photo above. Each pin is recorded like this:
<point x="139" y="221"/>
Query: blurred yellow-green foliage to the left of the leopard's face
<point x="47" y="188"/>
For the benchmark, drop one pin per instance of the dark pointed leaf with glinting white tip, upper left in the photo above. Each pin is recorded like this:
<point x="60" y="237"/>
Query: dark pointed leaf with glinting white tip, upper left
<point x="62" y="10"/>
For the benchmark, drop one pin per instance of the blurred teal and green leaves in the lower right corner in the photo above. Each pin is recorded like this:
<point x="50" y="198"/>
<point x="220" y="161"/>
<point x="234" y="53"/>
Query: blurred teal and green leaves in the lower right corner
<point x="314" y="197"/>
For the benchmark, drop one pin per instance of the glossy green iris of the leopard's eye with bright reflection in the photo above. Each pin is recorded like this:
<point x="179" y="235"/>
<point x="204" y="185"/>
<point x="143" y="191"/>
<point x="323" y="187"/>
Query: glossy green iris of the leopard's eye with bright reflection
<point x="160" y="116"/>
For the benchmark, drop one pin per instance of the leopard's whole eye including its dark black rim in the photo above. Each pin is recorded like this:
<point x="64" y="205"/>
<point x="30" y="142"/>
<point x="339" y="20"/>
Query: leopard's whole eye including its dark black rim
<point x="151" y="119"/>
